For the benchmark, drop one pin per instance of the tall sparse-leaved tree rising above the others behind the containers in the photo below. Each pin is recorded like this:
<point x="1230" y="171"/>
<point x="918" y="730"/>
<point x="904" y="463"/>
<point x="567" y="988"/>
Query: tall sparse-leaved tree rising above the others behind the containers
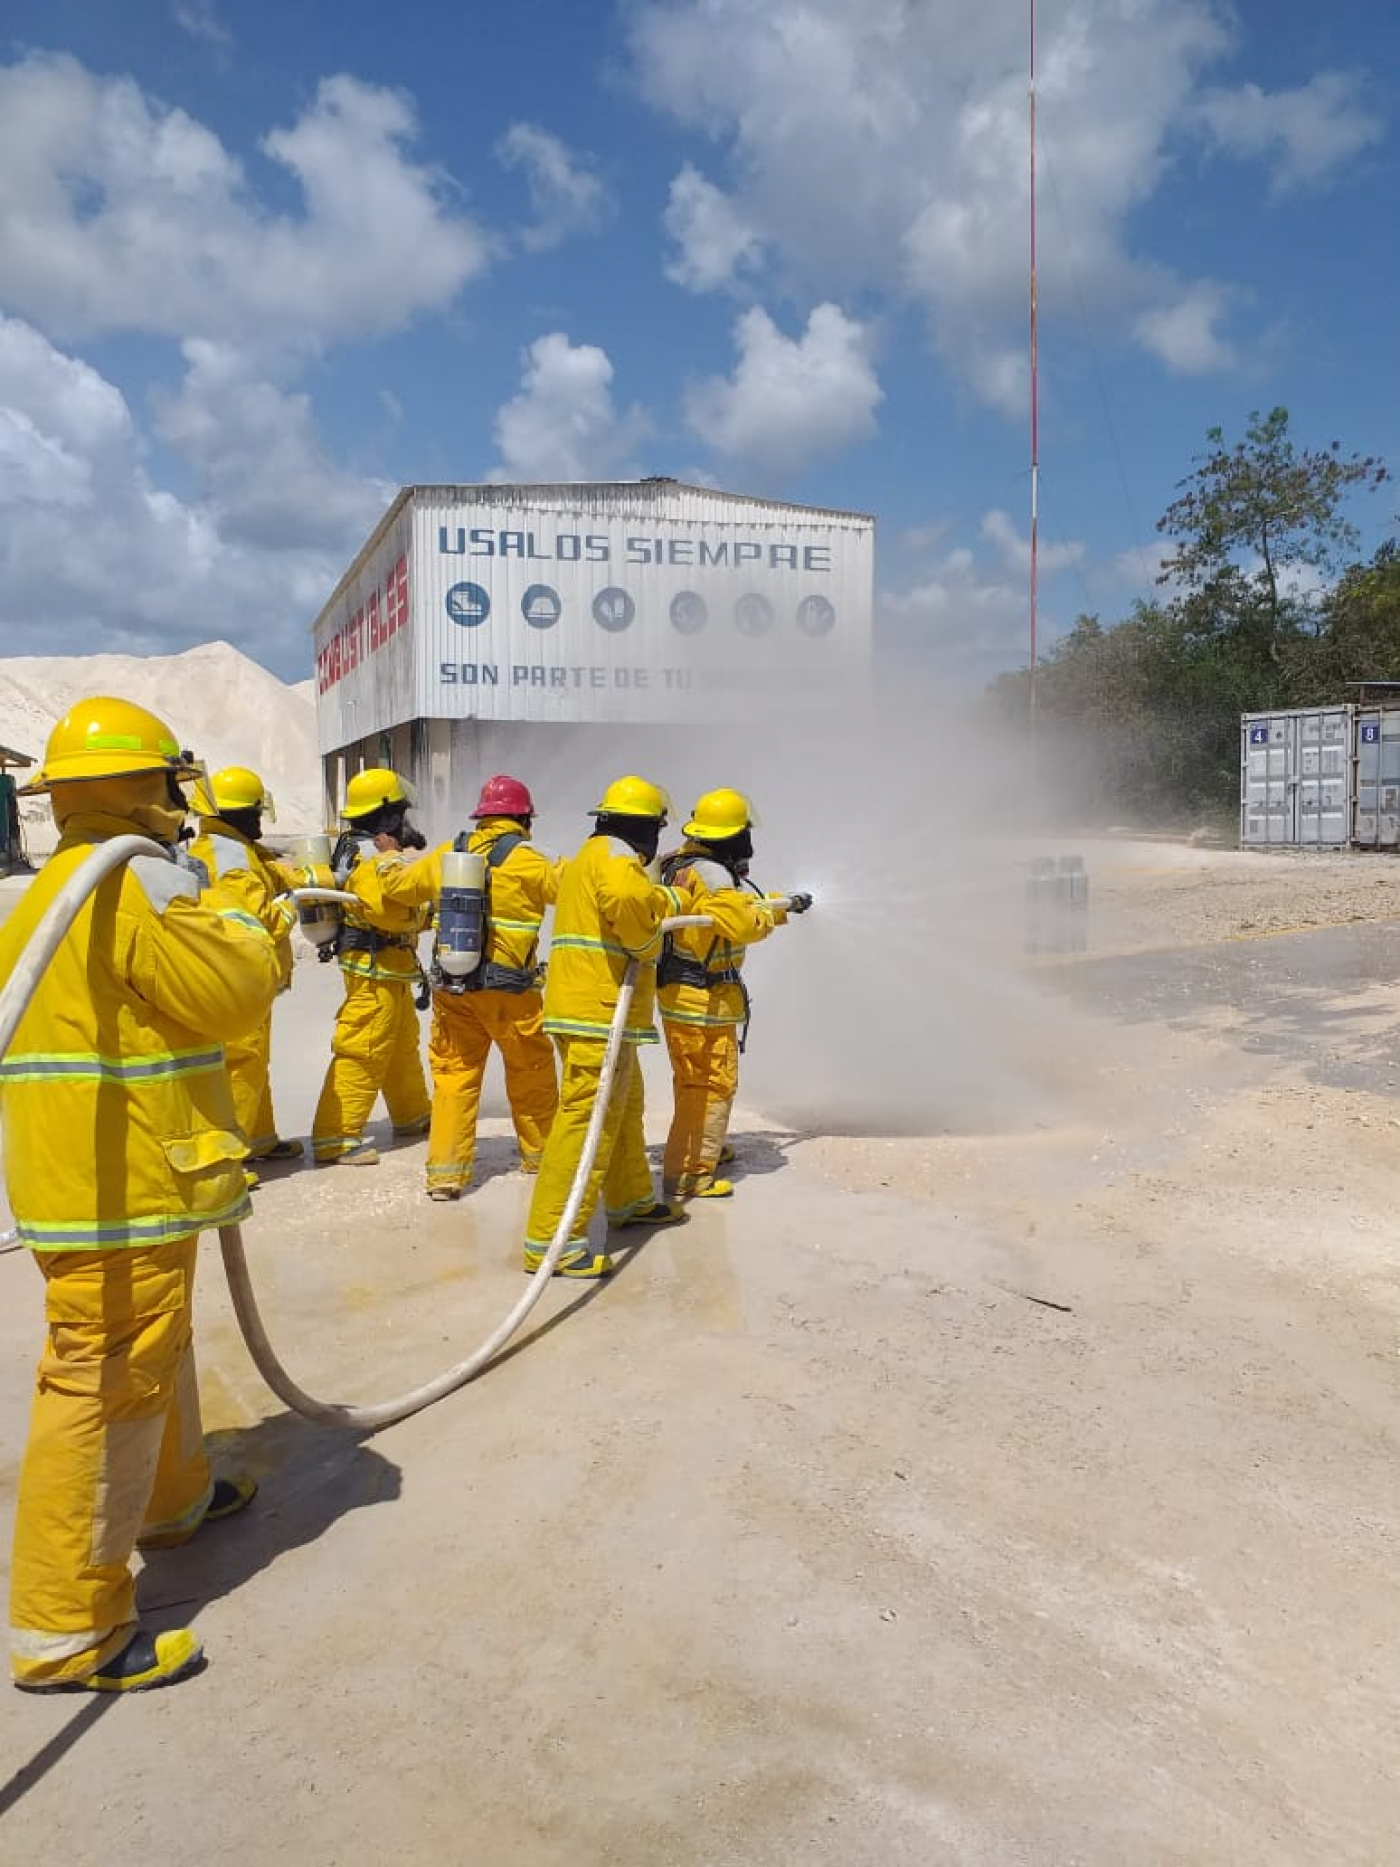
<point x="1255" y="512"/>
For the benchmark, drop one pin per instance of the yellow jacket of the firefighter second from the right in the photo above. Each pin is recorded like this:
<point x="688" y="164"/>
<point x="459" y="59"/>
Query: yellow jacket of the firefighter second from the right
<point x="608" y="912"/>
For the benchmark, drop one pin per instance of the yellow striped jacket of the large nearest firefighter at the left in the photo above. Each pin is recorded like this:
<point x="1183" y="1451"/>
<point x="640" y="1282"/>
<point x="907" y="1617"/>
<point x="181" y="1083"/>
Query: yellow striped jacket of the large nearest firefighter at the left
<point x="119" y="1116"/>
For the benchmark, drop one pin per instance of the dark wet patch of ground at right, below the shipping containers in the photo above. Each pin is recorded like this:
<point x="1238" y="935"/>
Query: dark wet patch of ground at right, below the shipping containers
<point x="1317" y="998"/>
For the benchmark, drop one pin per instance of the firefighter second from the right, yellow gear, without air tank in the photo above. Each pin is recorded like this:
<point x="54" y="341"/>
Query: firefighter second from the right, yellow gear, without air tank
<point x="609" y="912"/>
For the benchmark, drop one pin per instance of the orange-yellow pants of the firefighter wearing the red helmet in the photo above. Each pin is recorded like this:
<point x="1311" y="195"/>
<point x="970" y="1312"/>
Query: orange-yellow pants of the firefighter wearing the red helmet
<point x="466" y="1026"/>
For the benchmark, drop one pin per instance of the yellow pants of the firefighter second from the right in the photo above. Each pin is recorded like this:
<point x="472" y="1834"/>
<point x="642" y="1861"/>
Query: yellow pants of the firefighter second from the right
<point x="623" y="1173"/>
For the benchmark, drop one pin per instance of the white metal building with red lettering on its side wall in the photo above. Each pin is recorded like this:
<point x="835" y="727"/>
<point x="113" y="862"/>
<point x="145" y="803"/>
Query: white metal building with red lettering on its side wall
<point x="477" y="615"/>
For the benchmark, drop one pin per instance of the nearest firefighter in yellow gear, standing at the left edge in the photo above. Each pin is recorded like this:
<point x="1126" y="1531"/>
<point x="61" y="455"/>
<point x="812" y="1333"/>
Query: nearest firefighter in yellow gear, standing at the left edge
<point x="120" y="1147"/>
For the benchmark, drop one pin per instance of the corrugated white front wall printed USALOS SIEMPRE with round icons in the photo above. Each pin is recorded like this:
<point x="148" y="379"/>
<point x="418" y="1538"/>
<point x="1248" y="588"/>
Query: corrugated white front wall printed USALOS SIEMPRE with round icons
<point x="632" y="602"/>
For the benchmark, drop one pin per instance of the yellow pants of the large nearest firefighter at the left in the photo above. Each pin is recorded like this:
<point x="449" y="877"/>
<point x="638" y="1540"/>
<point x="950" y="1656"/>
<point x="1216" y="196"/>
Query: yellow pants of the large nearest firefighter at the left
<point x="115" y="1452"/>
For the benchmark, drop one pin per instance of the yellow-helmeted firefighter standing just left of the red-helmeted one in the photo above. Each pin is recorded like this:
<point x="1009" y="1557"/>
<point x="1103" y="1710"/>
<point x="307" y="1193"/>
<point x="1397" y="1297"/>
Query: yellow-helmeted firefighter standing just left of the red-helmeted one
<point x="376" y="1045"/>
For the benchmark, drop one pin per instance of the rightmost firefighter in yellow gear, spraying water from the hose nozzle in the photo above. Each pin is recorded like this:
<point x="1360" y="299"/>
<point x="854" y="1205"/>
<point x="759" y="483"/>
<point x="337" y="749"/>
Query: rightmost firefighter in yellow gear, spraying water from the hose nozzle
<point x="701" y="994"/>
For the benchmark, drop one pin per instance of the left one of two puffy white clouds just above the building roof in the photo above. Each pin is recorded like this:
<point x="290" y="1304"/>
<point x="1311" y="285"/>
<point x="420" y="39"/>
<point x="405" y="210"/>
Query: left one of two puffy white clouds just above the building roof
<point x="565" y="423"/>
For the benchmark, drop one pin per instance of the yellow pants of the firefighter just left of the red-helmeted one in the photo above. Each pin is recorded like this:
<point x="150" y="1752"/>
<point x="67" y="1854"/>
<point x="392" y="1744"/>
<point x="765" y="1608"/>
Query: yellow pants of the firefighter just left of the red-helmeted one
<point x="374" y="1050"/>
